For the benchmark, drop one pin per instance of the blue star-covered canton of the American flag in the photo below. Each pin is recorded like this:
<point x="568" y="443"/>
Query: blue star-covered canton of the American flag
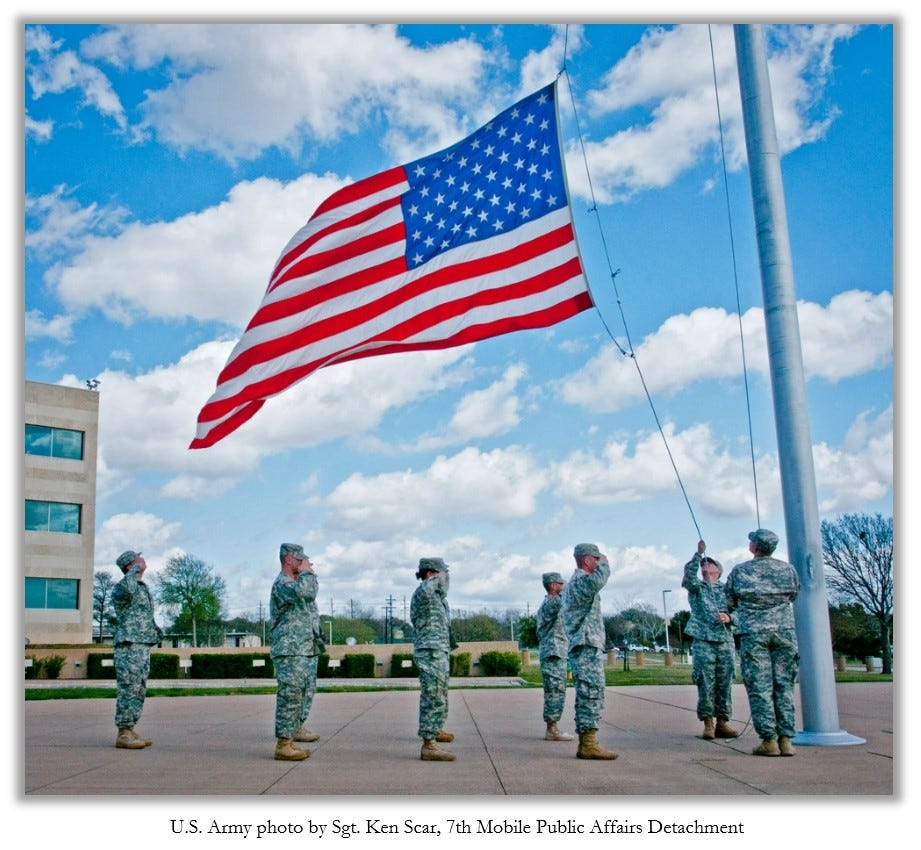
<point x="504" y="175"/>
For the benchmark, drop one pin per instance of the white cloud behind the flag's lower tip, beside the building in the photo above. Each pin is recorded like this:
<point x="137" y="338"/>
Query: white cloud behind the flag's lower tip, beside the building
<point x="338" y="402"/>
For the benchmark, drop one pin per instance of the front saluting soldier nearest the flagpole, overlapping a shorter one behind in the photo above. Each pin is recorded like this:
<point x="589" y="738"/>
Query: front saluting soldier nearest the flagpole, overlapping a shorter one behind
<point x="585" y="630"/>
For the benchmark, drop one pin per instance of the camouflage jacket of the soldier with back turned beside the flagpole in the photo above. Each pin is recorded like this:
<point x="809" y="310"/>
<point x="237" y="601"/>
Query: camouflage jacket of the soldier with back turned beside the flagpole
<point x="759" y="593"/>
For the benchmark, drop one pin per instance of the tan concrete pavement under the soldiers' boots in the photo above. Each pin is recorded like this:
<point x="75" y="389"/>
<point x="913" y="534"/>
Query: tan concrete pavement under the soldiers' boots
<point x="222" y="745"/>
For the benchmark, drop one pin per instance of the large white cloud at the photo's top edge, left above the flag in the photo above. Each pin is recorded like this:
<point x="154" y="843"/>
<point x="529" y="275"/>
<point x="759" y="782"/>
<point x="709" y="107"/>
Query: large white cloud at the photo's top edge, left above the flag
<point x="293" y="82"/>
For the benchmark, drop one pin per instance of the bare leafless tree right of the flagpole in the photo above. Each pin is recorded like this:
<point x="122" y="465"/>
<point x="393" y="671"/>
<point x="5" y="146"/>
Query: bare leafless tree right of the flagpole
<point x="857" y="550"/>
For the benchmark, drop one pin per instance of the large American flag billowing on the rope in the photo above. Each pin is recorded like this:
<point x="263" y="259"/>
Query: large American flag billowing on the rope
<point x="474" y="241"/>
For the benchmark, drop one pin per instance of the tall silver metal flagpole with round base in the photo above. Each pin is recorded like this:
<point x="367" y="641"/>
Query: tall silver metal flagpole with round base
<point x="794" y="442"/>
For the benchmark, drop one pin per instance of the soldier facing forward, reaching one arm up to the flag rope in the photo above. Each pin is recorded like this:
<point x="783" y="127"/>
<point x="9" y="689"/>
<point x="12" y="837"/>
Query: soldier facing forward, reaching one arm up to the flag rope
<point x="713" y="648"/>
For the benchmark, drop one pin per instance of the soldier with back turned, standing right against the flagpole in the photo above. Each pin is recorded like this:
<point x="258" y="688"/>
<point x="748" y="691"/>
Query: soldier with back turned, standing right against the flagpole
<point x="760" y="593"/>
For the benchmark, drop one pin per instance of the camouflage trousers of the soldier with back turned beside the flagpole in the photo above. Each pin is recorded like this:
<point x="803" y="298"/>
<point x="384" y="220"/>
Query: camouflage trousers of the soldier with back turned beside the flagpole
<point x="769" y="668"/>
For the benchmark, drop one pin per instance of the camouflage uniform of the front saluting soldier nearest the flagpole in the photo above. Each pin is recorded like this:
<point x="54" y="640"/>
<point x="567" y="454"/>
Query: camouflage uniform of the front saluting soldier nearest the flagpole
<point x="585" y="631"/>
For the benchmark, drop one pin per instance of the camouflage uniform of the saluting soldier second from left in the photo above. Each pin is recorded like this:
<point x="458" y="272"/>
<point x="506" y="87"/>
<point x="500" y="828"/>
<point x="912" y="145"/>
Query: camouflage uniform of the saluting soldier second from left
<point x="296" y="647"/>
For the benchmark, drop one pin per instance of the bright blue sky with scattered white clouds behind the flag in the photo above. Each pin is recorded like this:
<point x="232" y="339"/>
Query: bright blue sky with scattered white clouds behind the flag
<point x="165" y="167"/>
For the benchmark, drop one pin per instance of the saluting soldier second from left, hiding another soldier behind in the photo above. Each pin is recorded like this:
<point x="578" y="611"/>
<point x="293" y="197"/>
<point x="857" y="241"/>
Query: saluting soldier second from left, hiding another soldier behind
<point x="296" y="648"/>
